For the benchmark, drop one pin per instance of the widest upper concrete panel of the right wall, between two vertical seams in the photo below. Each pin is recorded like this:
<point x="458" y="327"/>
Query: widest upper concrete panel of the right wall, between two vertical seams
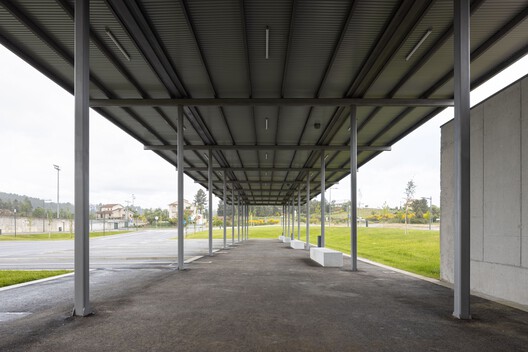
<point x="502" y="177"/>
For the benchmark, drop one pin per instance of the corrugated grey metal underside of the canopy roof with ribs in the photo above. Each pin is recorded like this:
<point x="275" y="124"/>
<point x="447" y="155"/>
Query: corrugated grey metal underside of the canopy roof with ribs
<point x="217" y="49"/>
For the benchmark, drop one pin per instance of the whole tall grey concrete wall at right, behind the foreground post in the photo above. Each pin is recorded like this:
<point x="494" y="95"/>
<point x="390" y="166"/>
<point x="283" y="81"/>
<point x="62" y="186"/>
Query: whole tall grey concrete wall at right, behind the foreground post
<point x="499" y="196"/>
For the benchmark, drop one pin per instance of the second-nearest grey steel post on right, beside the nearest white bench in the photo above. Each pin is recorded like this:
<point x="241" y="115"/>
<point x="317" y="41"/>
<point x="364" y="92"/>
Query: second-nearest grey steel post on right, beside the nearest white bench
<point x="353" y="187"/>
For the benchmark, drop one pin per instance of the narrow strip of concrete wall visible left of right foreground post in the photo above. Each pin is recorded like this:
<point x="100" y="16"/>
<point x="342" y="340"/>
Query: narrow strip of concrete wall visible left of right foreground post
<point x="446" y="203"/>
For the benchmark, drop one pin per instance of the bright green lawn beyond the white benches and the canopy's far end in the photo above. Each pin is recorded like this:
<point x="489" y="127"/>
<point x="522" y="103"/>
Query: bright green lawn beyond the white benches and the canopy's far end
<point x="417" y="252"/>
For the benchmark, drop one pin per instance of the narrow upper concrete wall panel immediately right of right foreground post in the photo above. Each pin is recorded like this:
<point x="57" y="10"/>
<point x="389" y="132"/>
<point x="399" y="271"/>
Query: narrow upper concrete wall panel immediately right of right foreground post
<point x="477" y="182"/>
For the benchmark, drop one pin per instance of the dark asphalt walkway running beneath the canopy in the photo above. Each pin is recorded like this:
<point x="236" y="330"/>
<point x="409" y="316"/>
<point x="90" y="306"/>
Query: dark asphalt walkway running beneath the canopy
<point x="262" y="296"/>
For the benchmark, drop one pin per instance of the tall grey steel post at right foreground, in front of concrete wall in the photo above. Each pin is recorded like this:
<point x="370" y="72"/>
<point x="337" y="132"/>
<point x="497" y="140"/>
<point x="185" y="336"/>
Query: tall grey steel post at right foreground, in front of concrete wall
<point x="462" y="160"/>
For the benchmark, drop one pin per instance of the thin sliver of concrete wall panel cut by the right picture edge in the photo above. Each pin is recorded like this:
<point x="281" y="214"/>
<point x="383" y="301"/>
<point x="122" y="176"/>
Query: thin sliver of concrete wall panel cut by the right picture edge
<point x="524" y="191"/>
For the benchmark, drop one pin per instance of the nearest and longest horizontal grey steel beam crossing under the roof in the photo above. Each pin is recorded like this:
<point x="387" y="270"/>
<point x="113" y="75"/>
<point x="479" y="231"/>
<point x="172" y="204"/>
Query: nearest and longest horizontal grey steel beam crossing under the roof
<point x="100" y="103"/>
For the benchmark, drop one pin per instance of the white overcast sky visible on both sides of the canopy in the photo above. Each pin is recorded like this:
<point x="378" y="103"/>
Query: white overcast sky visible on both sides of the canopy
<point x="36" y="119"/>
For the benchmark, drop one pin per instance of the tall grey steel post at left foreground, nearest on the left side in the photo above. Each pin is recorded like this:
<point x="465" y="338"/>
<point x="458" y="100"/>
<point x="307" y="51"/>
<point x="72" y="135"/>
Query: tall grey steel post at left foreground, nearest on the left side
<point x="82" y="208"/>
